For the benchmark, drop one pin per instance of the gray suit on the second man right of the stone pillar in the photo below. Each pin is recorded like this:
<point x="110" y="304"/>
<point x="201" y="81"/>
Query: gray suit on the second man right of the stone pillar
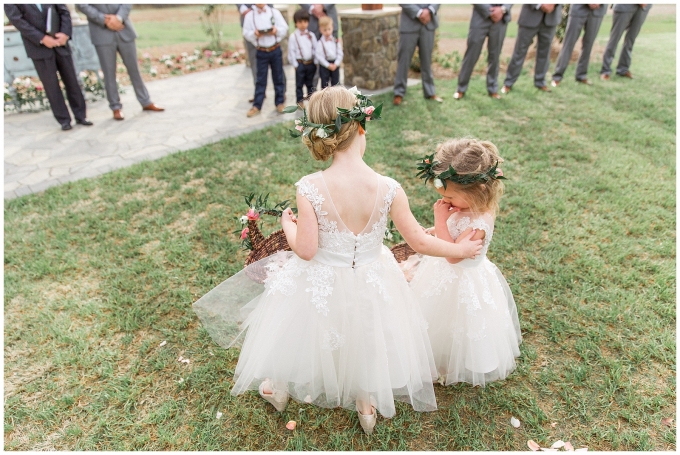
<point x="481" y="27"/>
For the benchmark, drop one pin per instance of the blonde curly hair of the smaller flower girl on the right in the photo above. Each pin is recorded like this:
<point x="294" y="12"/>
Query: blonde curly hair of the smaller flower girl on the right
<point x="472" y="156"/>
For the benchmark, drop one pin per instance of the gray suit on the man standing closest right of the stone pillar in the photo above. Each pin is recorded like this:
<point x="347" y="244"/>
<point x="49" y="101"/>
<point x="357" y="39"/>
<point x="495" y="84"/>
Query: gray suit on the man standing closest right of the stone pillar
<point x="413" y="33"/>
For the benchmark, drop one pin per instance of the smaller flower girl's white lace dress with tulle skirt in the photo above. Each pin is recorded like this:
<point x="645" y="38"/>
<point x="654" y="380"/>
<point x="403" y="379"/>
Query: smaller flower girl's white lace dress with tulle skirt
<point x="472" y="317"/>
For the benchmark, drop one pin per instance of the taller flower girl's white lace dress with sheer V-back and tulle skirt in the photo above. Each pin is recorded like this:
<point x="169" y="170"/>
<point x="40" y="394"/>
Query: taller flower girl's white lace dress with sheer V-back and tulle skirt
<point x="340" y="326"/>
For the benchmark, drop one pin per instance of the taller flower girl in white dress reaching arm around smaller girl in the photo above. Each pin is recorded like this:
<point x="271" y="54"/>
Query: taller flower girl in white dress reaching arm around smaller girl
<point x="335" y="323"/>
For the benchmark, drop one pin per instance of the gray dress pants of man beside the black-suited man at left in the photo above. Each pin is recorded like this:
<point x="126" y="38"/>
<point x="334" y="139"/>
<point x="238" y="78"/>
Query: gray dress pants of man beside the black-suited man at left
<point x="107" y="60"/>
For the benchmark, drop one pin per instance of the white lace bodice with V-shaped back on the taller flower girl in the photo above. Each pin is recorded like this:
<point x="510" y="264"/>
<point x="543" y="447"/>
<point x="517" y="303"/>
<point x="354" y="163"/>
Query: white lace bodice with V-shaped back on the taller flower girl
<point x="334" y="236"/>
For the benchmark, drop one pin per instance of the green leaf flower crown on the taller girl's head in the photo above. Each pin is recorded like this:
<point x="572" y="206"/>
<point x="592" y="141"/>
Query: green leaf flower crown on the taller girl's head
<point x="363" y="111"/>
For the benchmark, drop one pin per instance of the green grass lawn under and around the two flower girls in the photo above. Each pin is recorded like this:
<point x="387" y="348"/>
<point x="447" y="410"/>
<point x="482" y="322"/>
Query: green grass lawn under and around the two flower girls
<point x="99" y="272"/>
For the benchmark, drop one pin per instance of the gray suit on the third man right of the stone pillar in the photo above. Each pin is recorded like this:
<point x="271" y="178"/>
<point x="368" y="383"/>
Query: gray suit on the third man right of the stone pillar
<point x="532" y="22"/>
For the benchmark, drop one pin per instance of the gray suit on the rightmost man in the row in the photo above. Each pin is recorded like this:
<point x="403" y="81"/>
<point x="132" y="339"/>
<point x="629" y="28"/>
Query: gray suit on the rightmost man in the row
<point x="626" y="17"/>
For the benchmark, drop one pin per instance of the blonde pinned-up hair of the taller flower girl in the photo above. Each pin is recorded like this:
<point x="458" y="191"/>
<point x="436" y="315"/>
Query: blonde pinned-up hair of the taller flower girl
<point x="322" y="109"/>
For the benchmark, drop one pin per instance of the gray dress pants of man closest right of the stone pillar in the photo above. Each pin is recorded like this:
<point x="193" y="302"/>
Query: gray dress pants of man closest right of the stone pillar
<point x="407" y="46"/>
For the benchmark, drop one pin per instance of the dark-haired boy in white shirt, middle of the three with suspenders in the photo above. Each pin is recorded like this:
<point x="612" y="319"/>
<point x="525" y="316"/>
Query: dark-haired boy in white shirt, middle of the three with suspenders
<point x="301" y="46"/>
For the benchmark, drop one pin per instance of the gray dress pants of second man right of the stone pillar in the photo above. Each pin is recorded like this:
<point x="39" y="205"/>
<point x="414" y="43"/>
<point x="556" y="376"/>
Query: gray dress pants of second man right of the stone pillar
<point x="476" y="36"/>
